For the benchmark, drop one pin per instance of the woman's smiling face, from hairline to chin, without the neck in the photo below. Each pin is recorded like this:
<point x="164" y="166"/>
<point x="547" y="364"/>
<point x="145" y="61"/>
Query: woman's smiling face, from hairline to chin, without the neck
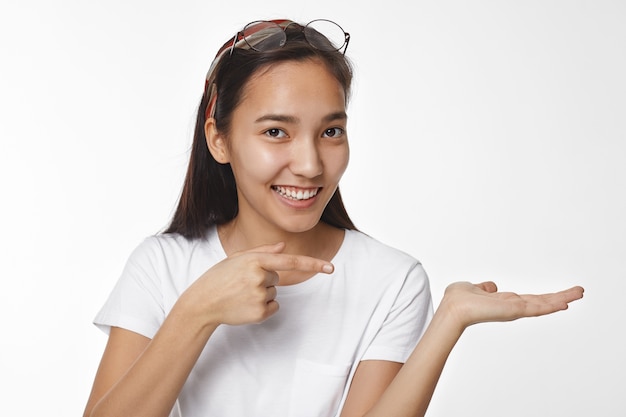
<point x="288" y="145"/>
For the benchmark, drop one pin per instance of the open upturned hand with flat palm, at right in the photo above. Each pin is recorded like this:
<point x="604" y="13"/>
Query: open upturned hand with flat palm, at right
<point x="478" y="303"/>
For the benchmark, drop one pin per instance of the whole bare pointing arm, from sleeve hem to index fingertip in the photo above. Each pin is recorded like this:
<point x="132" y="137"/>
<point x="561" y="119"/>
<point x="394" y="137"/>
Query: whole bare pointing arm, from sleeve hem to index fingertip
<point x="238" y="290"/>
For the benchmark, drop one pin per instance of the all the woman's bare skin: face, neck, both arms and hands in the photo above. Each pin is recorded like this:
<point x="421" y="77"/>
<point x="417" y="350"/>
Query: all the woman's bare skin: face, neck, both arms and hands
<point x="289" y="131"/>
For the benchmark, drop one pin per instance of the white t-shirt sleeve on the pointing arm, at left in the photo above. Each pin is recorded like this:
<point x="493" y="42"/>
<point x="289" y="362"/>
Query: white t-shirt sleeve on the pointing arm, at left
<point x="136" y="301"/>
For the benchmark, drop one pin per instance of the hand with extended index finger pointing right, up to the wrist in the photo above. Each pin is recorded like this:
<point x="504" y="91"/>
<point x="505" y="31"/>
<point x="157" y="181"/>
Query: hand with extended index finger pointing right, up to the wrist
<point x="242" y="288"/>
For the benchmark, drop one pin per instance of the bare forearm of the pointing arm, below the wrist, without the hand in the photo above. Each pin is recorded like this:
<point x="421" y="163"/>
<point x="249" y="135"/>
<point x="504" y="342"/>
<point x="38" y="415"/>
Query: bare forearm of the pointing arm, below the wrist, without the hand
<point x="152" y="384"/>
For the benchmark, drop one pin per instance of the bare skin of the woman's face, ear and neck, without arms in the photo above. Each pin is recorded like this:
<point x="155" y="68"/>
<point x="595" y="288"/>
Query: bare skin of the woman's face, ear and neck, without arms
<point x="280" y="139"/>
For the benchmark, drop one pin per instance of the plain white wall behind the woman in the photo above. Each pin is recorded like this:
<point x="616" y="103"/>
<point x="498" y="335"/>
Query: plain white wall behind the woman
<point x="488" y="140"/>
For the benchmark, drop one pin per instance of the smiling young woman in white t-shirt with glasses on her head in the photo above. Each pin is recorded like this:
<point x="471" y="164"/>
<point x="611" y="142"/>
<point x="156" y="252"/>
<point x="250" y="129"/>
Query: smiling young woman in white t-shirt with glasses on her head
<point x="194" y="322"/>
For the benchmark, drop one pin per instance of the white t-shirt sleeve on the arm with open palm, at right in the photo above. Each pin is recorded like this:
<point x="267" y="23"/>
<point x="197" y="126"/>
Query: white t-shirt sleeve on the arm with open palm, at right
<point x="406" y="321"/>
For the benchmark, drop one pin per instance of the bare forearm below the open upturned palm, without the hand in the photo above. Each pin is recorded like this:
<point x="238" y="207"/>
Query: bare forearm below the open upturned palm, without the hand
<point x="410" y="392"/>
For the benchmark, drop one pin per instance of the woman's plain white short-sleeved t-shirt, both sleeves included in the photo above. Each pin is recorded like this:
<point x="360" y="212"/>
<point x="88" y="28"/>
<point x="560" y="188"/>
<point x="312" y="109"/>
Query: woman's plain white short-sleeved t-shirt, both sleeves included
<point x="299" y="362"/>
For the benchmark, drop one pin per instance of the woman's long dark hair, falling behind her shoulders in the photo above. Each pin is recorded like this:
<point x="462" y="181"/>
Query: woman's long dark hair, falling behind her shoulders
<point x="209" y="195"/>
